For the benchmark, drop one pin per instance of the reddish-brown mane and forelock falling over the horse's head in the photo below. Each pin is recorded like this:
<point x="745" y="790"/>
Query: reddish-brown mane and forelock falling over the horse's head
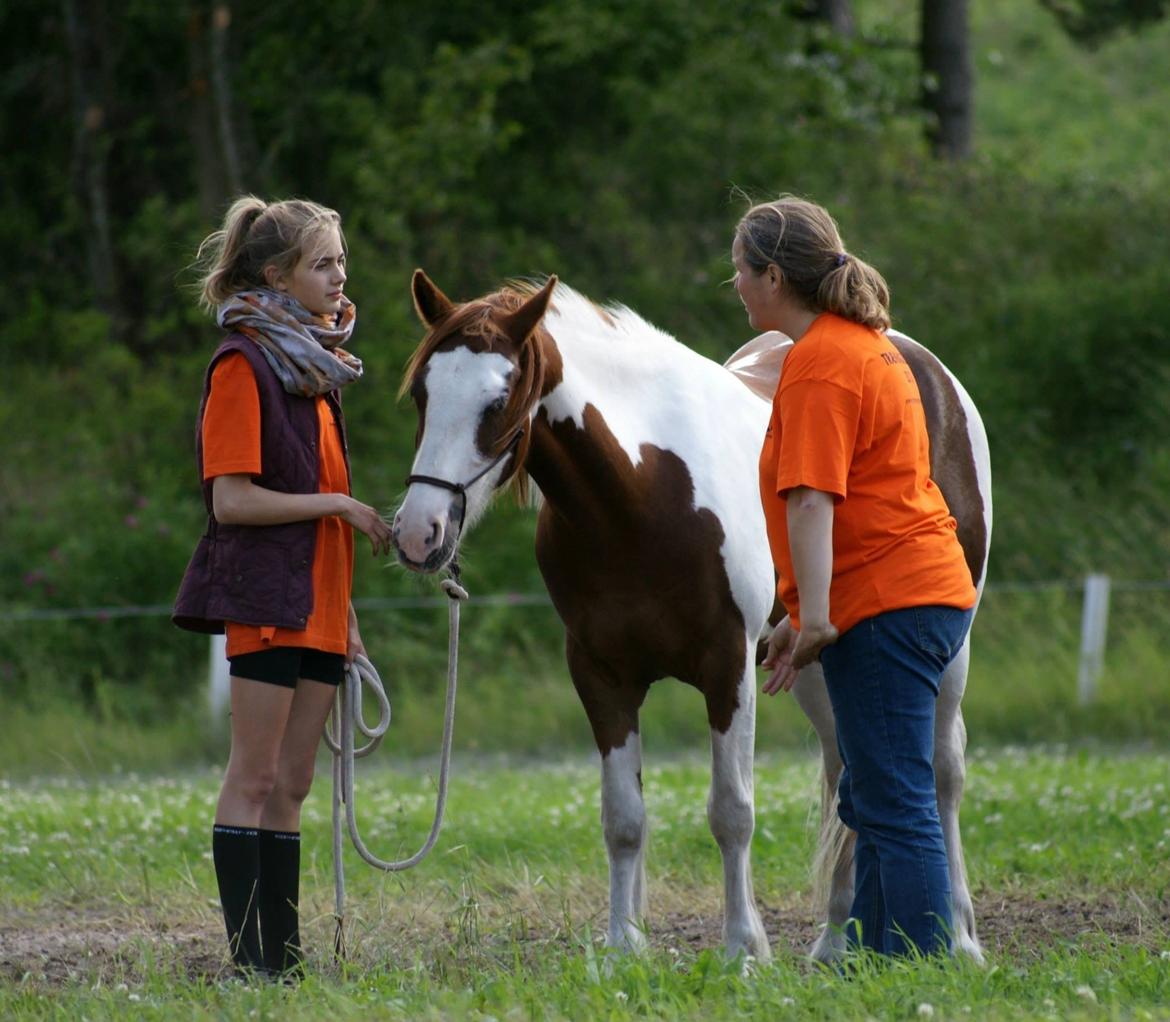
<point x="477" y="320"/>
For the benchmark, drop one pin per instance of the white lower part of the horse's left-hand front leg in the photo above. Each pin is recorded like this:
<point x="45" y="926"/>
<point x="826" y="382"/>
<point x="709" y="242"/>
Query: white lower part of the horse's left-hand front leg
<point x="624" y="825"/>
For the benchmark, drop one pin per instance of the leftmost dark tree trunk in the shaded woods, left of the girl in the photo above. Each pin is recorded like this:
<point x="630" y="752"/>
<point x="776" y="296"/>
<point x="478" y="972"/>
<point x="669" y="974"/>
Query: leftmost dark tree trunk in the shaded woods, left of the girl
<point x="91" y="150"/>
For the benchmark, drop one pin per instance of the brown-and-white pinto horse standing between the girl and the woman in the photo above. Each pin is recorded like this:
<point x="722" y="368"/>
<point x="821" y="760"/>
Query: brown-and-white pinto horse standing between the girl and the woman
<point x="652" y="544"/>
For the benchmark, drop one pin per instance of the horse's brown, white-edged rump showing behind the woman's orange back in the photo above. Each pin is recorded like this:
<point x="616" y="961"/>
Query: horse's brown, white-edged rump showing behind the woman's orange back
<point x="952" y="460"/>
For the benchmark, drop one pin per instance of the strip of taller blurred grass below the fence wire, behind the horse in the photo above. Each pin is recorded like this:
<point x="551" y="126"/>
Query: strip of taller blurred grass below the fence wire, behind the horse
<point x="515" y="692"/>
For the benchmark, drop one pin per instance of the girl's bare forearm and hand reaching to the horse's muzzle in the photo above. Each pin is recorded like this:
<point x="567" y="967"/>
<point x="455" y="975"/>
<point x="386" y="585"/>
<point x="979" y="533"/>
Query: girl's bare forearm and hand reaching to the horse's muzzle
<point x="238" y="501"/>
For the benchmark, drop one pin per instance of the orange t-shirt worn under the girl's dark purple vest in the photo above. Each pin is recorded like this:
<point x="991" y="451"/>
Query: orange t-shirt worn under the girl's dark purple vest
<point x="231" y="433"/>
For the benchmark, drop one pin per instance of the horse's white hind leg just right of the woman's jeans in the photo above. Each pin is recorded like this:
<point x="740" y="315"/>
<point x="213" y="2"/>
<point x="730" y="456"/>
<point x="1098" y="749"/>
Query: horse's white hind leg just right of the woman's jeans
<point x="951" y="775"/>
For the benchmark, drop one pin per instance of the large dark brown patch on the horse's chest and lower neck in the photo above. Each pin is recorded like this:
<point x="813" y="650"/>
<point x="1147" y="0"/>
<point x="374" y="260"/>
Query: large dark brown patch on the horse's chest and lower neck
<point x="636" y="574"/>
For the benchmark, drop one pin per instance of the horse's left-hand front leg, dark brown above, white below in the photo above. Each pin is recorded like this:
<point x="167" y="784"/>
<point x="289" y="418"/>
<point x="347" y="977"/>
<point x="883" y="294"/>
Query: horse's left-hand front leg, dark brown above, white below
<point x="612" y="708"/>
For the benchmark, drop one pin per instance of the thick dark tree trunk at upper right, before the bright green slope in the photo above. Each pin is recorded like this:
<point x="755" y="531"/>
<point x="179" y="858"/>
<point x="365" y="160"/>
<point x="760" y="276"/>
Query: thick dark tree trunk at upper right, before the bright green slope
<point x="947" y="78"/>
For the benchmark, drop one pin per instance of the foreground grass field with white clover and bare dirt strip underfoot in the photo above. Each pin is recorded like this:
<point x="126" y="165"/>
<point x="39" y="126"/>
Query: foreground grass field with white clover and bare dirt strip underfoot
<point x="108" y="908"/>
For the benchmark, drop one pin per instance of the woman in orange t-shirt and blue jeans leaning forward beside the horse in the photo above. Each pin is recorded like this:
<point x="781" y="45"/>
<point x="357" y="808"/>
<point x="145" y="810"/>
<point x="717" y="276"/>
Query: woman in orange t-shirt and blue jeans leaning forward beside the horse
<point x="870" y="567"/>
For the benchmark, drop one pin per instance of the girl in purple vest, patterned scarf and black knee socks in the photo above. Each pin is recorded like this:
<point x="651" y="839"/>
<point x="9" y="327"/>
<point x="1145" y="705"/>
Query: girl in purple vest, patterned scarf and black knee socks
<point x="274" y="569"/>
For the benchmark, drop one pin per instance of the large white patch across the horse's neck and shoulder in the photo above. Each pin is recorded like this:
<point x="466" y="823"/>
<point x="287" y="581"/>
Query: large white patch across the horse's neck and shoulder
<point x="651" y="390"/>
